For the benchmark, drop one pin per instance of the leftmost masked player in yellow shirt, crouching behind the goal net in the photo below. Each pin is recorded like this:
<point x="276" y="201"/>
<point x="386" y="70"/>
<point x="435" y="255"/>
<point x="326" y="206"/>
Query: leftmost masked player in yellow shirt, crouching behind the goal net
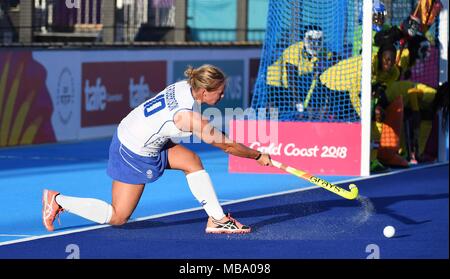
<point x="292" y="80"/>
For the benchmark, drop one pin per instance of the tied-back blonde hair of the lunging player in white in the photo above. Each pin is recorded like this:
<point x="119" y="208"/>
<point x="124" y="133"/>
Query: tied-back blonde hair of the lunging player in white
<point x="206" y="76"/>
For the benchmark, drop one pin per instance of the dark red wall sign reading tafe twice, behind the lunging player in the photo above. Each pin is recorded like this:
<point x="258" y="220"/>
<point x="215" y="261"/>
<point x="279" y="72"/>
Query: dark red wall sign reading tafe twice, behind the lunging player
<point x="110" y="90"/>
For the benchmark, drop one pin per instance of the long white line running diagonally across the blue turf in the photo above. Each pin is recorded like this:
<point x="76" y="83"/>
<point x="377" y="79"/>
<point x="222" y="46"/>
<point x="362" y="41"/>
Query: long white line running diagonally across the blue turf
<point x="225" y="203"/>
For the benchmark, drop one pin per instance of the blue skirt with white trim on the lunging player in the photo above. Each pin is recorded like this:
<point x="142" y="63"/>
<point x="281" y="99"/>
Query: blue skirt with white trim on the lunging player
<point x="128" y="167"/>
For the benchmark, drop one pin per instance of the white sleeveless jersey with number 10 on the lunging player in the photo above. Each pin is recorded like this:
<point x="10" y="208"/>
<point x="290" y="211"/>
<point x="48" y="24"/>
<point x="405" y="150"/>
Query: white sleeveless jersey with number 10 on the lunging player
<point x="148" y="127"/>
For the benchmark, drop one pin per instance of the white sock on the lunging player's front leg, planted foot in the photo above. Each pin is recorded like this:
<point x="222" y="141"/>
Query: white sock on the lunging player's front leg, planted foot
<point x="201" y="187"/>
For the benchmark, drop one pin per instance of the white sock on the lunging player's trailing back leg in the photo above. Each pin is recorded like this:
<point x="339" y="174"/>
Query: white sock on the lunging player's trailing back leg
<point x="92" y="209"/>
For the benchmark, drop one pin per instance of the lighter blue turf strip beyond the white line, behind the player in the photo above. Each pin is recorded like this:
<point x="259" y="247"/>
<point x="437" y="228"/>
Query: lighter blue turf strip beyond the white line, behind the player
<point x="79" y="169"/>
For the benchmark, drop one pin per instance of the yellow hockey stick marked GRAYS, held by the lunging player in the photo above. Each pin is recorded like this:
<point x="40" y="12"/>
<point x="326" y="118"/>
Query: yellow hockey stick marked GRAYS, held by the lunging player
<point x="352" y="194"/>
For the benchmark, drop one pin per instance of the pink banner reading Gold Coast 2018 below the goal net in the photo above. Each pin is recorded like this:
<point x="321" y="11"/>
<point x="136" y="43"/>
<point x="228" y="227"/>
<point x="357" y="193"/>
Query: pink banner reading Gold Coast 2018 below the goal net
<point x="318" y="148"/>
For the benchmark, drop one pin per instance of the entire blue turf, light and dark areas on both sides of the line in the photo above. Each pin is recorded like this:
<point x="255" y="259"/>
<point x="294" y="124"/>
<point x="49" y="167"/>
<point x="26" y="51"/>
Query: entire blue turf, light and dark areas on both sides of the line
<point x="307" y="224"/>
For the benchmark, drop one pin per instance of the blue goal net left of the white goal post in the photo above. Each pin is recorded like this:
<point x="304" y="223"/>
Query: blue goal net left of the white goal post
<point x="304" y="39"/>
